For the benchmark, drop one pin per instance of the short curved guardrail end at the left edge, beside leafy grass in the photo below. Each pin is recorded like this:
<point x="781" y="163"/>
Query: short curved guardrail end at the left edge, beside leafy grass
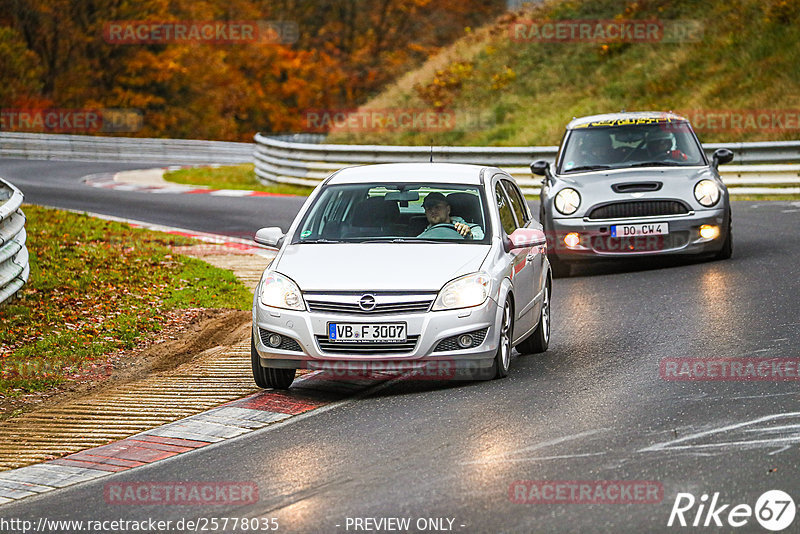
<point x="14" y="268"/>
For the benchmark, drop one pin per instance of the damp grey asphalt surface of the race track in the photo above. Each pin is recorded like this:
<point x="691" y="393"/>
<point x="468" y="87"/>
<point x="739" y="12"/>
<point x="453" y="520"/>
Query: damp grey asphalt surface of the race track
<point x="594" y="407"/>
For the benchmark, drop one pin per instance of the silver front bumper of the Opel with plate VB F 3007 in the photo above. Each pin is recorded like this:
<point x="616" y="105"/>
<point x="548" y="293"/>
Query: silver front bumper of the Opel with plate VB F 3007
<point x="308" y="330"/>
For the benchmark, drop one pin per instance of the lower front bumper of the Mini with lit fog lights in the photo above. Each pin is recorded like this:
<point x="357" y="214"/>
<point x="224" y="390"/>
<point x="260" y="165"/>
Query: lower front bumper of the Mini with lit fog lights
<point x="596" y="241"/>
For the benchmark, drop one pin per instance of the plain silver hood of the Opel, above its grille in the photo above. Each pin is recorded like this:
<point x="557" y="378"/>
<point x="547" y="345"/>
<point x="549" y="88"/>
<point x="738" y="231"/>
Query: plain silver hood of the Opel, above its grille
<point x="378" y="266"/>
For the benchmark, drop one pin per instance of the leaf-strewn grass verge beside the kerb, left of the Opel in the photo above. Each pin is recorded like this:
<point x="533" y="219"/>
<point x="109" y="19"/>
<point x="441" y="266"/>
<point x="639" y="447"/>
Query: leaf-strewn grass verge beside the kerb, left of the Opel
<point x="97" y="287"/>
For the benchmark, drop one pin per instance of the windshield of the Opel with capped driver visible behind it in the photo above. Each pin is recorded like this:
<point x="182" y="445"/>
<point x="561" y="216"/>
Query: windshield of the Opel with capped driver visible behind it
<point x="396" y="213"/>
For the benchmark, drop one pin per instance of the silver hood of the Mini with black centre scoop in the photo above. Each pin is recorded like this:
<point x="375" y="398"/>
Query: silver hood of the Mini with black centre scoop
<point x="595" y="187"/>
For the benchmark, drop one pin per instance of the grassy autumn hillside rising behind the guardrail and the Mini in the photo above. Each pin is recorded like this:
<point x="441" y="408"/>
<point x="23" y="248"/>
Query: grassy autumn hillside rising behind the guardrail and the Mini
<point x="741" y="59"/>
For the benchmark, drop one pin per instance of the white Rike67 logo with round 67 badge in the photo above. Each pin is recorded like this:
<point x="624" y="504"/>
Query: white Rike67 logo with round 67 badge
<point x="774" y="510"/>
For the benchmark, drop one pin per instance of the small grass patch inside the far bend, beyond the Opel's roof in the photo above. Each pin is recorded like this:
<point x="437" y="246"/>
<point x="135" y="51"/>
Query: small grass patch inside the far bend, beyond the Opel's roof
<point x="231" y="177"/>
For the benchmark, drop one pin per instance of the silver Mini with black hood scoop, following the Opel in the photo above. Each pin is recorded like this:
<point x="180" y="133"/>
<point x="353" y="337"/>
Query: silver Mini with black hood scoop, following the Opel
<point x="633" y="184"/>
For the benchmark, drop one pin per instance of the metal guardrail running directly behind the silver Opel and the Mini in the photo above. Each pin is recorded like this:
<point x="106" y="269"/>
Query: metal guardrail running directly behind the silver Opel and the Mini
<point x="281" y="160"/>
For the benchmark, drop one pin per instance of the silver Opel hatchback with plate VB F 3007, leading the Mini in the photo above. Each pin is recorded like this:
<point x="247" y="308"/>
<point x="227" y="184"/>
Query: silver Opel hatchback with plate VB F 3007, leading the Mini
<point x="402" y="266"/>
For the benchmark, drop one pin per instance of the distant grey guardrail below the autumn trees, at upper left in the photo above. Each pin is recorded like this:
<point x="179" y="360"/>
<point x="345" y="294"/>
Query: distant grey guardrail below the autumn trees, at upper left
<point x="123" y="149"/>
